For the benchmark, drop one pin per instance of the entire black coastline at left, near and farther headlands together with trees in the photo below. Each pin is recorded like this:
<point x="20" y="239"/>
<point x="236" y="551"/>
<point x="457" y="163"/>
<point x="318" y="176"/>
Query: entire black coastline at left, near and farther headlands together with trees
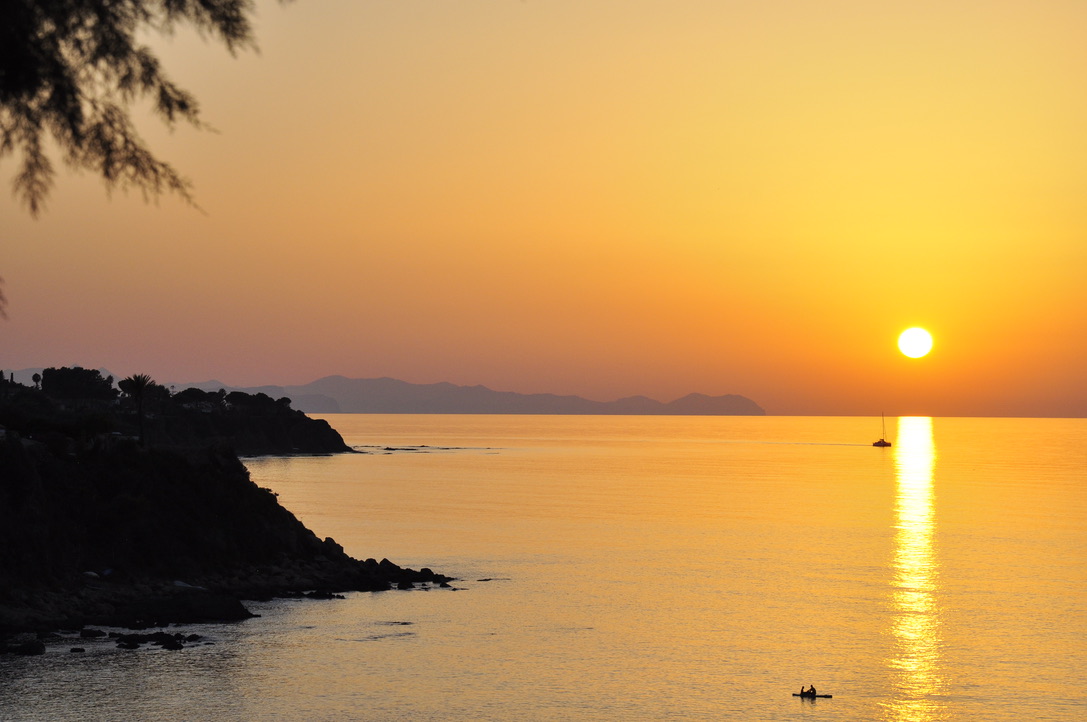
<point x="135" y="509"/>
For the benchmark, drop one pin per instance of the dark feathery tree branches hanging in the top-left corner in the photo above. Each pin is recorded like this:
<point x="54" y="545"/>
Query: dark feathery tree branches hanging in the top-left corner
<point x="70" y="70"/>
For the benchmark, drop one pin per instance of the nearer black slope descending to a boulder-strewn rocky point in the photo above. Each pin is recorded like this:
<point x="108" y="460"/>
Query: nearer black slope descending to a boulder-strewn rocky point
<point x="107" y="532"/>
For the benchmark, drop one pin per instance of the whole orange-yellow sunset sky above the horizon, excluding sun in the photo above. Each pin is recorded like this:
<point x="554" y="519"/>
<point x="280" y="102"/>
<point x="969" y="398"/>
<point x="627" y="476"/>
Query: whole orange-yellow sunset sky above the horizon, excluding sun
<point x="598" y="198"/>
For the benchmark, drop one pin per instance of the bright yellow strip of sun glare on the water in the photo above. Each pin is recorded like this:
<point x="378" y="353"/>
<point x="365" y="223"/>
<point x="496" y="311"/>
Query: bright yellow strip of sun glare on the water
<point x="916" y="582"/>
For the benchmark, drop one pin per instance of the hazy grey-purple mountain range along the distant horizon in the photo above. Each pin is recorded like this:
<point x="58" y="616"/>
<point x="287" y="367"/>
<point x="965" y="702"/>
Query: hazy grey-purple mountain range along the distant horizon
<point x="342" y="395"/>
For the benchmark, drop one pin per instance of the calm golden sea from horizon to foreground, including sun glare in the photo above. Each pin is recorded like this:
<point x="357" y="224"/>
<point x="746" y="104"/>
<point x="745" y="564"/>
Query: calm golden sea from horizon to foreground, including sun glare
<point x="648" y="568"/>
